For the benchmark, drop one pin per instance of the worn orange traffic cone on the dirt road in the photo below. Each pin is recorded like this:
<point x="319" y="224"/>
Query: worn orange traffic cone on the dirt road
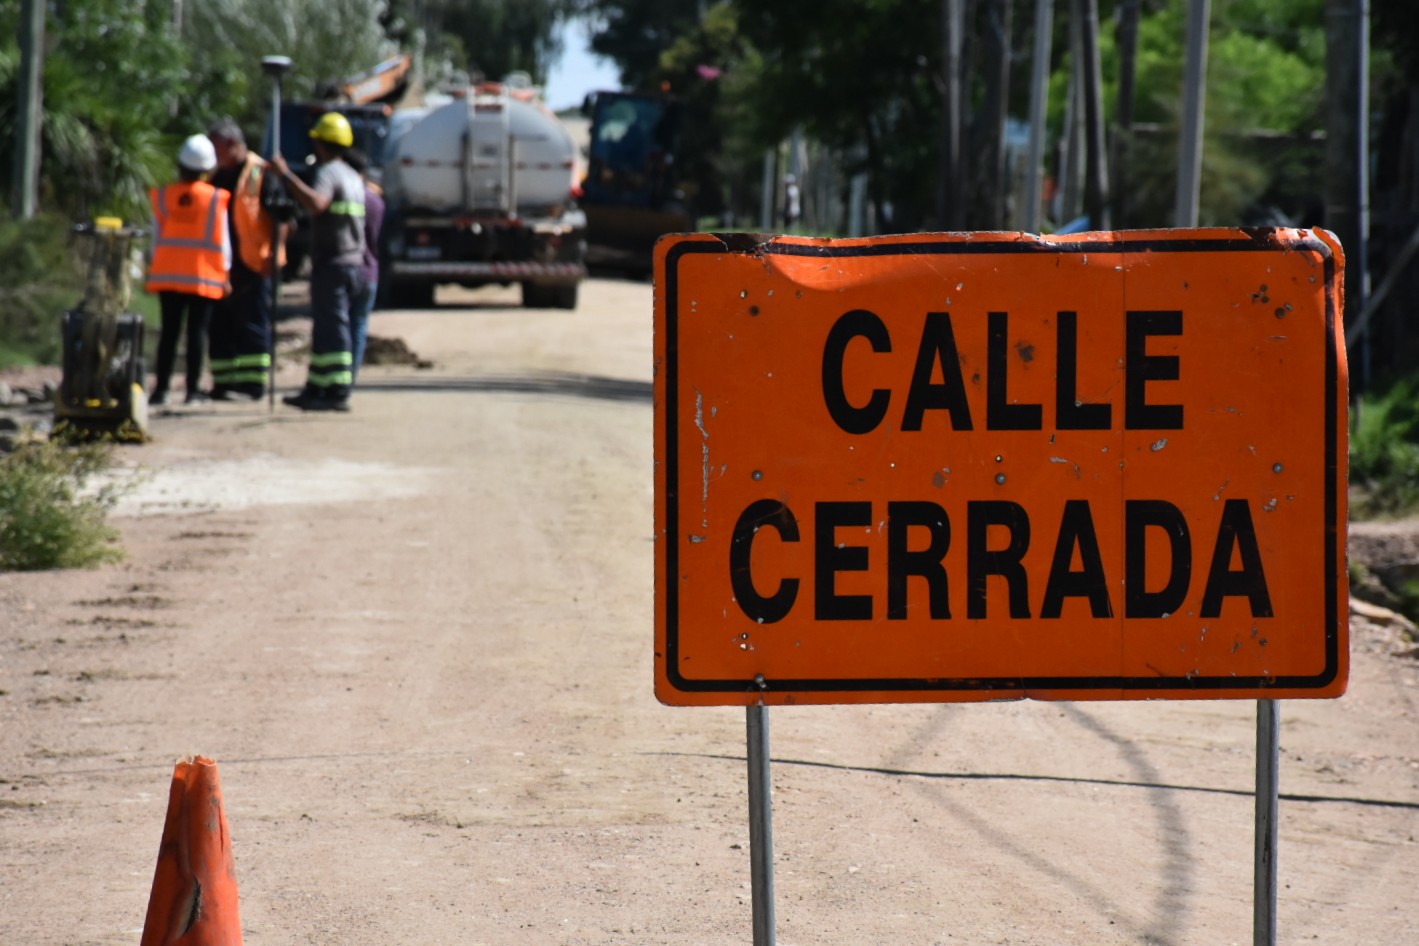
<point x="195" y="887"/>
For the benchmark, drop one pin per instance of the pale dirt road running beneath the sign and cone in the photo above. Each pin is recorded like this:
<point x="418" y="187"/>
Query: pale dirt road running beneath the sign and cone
<point x="418" y="640"/>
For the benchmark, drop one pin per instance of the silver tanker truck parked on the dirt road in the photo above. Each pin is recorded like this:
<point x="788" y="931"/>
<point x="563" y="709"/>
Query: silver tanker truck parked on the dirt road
<point x="482" y="191"/>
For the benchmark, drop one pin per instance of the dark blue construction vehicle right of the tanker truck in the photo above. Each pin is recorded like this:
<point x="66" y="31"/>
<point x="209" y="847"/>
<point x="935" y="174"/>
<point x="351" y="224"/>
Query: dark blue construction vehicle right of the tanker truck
<point x="634" y="192"/>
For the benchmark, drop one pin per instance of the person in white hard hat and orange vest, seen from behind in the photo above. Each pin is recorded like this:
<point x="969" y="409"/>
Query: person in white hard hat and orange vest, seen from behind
<point x="192" y="260"/>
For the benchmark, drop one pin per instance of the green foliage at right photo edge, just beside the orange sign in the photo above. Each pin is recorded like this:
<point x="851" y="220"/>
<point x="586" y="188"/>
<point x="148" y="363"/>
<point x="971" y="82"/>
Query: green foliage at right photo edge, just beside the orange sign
<point x="1384" y="450"/>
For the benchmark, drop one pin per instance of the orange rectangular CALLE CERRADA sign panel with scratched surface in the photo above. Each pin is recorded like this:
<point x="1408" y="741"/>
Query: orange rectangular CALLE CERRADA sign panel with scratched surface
<point x="961" y="467"/>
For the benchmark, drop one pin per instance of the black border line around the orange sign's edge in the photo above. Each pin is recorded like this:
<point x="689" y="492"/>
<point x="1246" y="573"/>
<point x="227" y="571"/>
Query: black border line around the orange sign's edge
<point x="1259" y="240"/>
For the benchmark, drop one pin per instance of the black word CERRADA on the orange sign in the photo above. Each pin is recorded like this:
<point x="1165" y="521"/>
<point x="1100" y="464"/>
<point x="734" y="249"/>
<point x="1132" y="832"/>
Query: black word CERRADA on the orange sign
<point x="1075" y="540"/>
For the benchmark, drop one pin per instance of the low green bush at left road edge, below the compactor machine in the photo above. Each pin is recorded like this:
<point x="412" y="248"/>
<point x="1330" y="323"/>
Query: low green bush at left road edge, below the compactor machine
<point x="49" y="517"/>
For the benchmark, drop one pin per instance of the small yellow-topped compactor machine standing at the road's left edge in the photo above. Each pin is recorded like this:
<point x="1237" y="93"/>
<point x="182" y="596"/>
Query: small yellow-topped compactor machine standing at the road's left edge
<point x="101" y="395"/>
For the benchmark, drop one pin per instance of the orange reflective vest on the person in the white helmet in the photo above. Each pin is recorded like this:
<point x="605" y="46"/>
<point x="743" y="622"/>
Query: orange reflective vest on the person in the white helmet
<point x="191" y="232"/>
